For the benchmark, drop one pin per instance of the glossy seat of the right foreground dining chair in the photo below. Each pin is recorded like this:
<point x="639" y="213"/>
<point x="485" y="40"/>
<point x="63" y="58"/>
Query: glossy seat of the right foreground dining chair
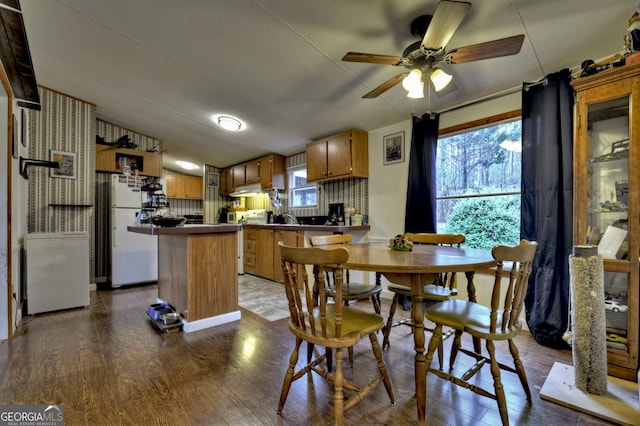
<point x="473" y="318"/>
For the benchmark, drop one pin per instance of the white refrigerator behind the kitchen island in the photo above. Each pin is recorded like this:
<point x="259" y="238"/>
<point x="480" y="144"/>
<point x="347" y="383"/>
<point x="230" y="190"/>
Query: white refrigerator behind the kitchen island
<point x="134" y="257"/>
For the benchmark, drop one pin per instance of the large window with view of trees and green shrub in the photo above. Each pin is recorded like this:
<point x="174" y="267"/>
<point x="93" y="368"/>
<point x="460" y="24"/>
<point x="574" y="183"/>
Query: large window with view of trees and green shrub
<point x="478" y="184"/>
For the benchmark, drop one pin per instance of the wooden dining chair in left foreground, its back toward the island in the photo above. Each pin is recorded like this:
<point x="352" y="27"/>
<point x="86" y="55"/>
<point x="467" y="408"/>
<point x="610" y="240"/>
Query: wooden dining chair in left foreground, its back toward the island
<point x="331" y="325"/>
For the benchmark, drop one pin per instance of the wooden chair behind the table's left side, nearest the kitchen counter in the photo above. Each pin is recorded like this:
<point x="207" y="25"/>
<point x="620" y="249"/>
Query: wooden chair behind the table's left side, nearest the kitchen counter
<point x="350" y="291"/>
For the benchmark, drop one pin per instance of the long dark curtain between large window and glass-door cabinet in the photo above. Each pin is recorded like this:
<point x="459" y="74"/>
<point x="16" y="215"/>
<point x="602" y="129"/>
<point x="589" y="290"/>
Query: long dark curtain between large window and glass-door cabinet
<point x="547" y="202"/>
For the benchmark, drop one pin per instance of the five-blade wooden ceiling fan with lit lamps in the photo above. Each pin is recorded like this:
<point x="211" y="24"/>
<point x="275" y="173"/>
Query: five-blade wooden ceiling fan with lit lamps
<point x="422" y="58"/>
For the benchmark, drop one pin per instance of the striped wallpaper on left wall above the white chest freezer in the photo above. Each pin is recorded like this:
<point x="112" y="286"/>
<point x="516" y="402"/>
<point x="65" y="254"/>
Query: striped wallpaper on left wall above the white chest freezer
<point x="57" y="204"/>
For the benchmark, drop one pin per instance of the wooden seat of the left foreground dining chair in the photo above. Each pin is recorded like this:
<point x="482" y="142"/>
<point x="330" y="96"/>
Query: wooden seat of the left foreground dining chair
<point x="353" y="321"/>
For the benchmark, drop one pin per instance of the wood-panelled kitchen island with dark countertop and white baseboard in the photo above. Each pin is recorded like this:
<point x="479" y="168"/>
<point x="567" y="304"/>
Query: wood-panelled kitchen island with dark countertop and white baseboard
<point x="198" y="272"/>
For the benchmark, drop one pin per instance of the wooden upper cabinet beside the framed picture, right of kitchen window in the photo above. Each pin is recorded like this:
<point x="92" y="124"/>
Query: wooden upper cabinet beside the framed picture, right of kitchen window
<point x="338" y="156"/>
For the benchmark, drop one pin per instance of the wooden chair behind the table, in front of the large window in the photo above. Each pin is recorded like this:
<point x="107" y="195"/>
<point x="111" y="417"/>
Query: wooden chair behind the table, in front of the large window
<point x="442" y="288"/>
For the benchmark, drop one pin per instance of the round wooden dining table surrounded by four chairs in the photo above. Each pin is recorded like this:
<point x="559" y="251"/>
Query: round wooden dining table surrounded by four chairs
<point x="415" y="269"/>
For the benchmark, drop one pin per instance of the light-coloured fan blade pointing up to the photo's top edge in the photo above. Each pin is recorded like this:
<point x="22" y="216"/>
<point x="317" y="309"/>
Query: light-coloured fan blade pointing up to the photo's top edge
<point x="446" y="20"/>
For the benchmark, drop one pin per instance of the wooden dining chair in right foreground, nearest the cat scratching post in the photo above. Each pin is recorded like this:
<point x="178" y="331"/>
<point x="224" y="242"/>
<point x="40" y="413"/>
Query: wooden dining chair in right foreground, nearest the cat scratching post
<point x="499" y="322"/>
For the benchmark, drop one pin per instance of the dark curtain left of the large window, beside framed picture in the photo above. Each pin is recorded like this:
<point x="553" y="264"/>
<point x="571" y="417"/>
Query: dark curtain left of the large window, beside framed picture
<point x="420" y="213"/>
